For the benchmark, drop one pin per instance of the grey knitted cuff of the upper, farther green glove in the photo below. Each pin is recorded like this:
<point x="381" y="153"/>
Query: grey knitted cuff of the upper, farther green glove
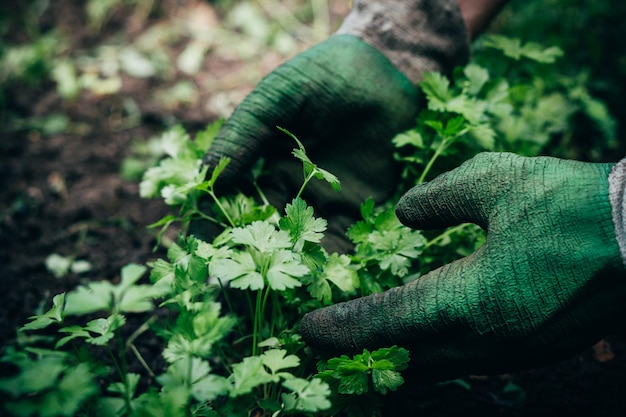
<point x="415" y="35"/>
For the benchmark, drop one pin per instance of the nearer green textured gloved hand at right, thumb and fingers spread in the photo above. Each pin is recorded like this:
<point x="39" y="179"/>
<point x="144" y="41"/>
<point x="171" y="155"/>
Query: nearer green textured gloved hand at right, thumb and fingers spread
<point x="548" y="283"/>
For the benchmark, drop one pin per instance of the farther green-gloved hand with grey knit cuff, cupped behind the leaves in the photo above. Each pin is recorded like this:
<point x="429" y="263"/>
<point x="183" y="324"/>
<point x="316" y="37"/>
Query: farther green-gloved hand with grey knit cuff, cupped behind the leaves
<point x="344" y="98"/>
